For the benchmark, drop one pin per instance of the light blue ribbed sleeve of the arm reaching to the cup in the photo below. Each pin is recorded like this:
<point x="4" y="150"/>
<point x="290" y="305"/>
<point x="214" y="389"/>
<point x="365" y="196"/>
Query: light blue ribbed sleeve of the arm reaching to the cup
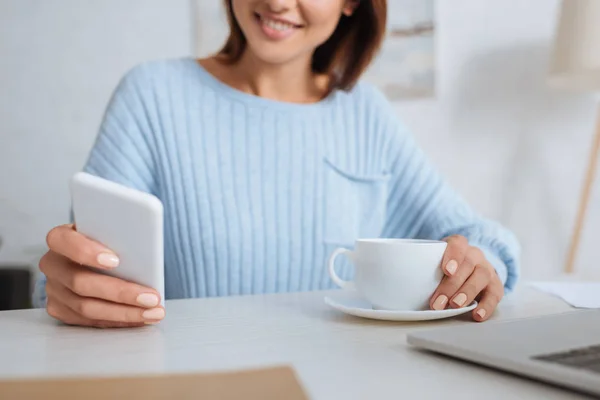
<point x="421" y="204"/>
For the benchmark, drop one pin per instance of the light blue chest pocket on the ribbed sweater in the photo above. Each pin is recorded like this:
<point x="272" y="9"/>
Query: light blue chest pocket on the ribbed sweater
<point x="355" y="205"/>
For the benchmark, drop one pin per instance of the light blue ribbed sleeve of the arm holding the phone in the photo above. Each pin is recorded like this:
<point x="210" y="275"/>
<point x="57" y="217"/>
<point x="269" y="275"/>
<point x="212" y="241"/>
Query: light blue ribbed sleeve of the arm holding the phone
<point x="122" y="151"/>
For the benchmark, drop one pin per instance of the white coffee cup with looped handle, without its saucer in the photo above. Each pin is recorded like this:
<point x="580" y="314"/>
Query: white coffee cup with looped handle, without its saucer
<point x="393" y="274"/>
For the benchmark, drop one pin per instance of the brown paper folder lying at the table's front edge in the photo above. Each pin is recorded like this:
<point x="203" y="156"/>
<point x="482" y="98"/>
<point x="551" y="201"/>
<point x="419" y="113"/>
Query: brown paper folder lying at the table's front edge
<point x="272" y="383"/>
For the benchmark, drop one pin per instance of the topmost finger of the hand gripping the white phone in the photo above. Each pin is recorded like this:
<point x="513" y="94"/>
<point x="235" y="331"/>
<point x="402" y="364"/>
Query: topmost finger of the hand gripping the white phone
<point x="65" y="240"/>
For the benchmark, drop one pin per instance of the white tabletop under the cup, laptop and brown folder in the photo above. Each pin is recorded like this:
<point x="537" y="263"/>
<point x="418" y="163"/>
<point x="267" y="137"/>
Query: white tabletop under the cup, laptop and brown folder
<point x="334" y="355"/>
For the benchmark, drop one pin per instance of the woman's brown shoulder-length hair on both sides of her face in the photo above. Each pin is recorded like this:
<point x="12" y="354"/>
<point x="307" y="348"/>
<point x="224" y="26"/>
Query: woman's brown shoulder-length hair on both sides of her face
<point x="344" y="56"/>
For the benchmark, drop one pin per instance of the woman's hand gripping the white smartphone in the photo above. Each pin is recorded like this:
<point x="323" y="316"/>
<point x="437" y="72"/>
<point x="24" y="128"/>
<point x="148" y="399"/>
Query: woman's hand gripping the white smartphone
<point x="77" y="295"/>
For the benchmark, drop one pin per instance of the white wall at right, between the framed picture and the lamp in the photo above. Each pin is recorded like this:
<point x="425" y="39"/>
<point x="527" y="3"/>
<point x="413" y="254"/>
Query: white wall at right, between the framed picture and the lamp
<point x="514" y="148"/>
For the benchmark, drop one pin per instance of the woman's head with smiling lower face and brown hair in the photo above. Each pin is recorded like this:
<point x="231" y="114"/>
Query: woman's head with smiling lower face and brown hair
<point x="341" y="48"/>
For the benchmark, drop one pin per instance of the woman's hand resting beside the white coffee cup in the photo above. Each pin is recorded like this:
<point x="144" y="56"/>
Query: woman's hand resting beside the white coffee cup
<point x="468" y="276"/>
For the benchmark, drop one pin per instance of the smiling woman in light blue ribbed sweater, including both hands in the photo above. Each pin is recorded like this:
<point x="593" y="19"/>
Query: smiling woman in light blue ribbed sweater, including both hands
<point x="267" y="156"/>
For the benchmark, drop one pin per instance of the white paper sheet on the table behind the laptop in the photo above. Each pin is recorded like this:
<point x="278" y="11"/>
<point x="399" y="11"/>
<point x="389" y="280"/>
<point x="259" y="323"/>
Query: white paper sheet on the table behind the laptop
<point x="577" y="294"/>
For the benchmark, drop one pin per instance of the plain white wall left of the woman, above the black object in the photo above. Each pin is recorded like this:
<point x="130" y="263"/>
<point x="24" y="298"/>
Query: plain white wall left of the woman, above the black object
<point x="59" y="62"/>
